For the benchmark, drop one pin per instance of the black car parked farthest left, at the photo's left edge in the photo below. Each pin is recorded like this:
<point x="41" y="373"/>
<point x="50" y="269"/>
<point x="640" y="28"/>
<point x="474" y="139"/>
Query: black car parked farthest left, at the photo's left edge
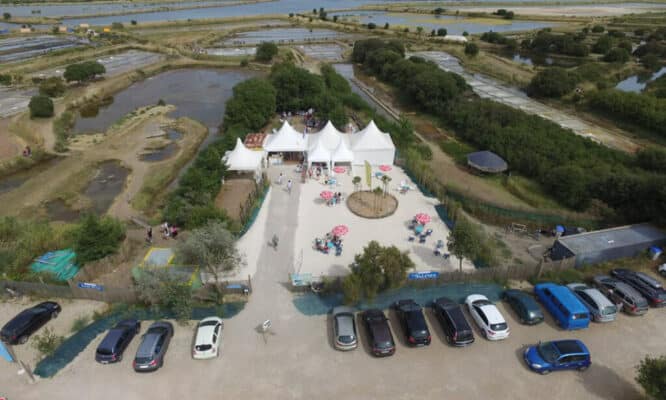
<point x="19" y="329"/>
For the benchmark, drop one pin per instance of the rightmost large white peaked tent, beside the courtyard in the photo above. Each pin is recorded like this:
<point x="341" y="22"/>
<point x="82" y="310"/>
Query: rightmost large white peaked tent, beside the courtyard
<point x="372" y="145"/>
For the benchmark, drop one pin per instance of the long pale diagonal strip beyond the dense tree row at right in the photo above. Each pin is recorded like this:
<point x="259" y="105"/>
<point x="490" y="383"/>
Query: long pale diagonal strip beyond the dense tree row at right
<point x="489" y="89"/>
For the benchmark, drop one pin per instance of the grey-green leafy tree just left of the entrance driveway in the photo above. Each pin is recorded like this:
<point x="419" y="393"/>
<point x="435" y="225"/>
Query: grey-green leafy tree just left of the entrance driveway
<point x="211" y="247"/>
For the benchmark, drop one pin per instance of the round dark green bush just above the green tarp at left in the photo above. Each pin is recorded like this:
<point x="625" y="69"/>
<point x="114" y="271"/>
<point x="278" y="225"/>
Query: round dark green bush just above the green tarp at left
<point x="97" y="237"/>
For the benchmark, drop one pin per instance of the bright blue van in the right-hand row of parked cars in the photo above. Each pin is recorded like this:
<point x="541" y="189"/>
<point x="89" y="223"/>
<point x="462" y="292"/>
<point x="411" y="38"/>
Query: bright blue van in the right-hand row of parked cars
<point x="568" y="311"/>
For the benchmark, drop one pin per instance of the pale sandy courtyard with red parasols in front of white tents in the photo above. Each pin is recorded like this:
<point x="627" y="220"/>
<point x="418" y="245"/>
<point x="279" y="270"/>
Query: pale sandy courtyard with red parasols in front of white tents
<point x="315" y="219"/>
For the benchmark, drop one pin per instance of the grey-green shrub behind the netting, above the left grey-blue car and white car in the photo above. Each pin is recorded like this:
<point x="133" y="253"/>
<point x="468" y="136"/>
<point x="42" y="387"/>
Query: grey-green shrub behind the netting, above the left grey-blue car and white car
<point x="162" y="289"/>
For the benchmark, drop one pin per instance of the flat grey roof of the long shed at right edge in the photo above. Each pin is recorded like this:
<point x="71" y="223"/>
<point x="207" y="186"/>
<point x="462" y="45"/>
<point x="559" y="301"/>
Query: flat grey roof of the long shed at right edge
<point x="623" y="236"/>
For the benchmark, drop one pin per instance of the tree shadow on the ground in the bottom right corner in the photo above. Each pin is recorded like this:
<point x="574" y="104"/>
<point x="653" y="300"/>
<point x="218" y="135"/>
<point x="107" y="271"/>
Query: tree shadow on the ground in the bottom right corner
<point x="608" y="384"/>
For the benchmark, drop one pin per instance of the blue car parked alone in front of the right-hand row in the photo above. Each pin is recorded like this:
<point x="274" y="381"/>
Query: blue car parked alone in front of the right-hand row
<point x="557" y="355"/>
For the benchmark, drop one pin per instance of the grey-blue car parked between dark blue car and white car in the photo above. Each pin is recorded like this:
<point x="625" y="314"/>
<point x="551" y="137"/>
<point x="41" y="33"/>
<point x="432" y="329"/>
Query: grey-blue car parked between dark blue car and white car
<point x="153" y="347"/>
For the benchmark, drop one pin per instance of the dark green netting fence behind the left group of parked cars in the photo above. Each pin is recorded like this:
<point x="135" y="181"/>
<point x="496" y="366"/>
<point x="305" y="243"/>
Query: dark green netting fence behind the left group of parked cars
<point x="78" y="342"/>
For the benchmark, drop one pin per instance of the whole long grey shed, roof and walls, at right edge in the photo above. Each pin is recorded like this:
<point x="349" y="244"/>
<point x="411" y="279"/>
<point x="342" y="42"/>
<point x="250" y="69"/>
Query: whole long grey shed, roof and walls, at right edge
<point x="608" y="244"/>
